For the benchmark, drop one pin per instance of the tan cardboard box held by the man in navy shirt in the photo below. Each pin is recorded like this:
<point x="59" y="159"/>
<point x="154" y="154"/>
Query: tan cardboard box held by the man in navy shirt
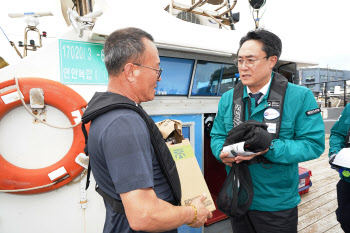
<point x="191" y="177"/>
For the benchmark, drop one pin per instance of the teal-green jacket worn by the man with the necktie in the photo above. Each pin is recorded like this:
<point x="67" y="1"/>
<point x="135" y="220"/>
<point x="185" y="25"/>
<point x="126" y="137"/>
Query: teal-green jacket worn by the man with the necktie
<point x="301" y="138"/>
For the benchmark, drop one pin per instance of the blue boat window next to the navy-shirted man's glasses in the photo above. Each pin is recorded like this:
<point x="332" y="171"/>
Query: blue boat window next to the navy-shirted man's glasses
<point x="176" y="76"/>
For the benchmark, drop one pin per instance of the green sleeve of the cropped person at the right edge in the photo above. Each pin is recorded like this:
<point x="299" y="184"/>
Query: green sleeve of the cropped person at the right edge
<point x="339" y="132"/>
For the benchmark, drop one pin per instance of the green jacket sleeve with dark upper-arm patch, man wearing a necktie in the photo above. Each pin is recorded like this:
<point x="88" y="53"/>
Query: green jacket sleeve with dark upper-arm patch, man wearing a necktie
<point x="309" y="136"/>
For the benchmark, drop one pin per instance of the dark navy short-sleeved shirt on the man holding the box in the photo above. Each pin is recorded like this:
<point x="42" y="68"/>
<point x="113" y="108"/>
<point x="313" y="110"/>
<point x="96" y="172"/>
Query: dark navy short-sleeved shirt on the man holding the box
<point x="122" y="159"/>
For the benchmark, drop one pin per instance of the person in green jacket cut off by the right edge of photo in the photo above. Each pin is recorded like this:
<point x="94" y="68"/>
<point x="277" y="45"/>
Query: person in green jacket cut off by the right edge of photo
<point x="338" y="140"/>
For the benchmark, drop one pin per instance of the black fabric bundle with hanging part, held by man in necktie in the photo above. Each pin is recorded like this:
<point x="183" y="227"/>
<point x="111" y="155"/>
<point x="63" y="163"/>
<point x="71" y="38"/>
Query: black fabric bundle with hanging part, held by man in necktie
<point x="236" y="194"/>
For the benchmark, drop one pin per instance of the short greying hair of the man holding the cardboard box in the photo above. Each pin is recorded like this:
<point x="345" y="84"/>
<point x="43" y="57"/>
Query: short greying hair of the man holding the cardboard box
<point x="122" y="46"/>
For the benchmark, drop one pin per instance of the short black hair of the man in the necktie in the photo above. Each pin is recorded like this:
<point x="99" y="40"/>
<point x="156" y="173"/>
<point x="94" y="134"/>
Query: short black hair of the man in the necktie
<point x="272" y="44"/>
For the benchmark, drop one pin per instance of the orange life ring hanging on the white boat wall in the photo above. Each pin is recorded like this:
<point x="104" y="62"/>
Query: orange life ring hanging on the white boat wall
<point x="63" y="98"/>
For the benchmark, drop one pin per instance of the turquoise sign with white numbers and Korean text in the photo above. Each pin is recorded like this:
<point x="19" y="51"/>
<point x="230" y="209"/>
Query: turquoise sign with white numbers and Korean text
<point x="82" y="63"/>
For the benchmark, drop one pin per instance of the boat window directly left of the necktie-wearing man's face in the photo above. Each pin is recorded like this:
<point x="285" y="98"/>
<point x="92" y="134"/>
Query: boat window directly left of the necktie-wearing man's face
<point x="213" y="79"/>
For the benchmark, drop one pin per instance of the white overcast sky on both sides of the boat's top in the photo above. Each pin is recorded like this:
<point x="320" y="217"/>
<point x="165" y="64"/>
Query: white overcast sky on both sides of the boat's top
<point x="311" y="30"/>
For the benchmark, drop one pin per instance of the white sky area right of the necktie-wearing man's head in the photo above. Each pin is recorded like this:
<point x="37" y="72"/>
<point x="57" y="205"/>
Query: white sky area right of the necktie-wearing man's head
<point x="312" y="29"/>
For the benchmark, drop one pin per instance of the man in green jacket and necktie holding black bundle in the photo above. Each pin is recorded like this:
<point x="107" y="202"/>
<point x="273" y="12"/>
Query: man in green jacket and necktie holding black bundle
<point x="293" y="118"/>
